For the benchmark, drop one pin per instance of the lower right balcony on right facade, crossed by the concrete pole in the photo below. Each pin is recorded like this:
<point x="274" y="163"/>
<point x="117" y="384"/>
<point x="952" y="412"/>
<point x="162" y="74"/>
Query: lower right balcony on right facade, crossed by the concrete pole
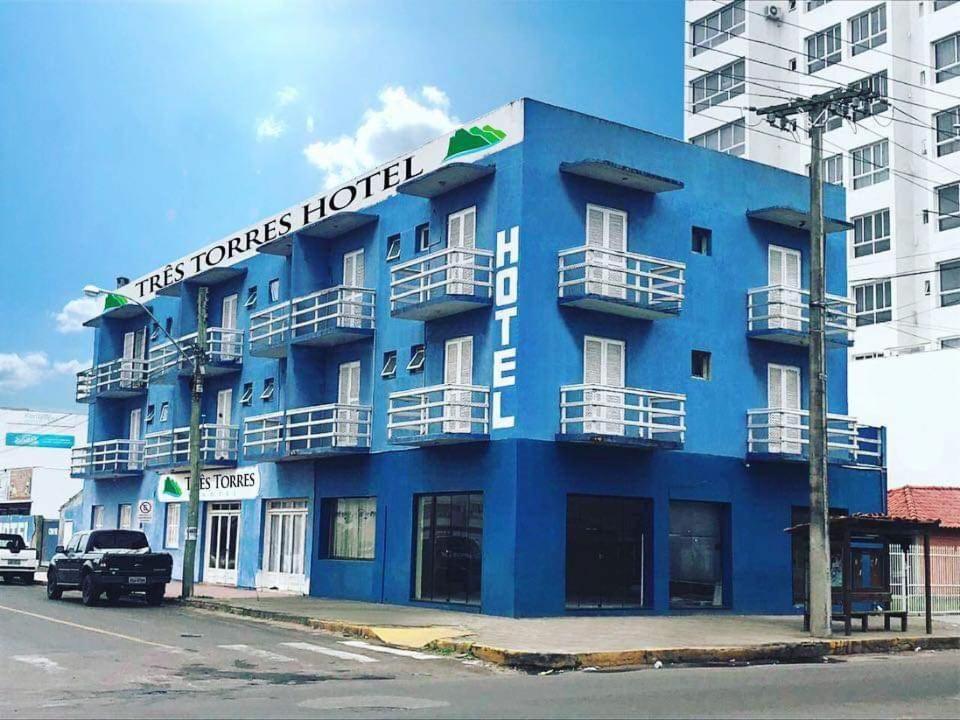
<point x="784" y="435"/>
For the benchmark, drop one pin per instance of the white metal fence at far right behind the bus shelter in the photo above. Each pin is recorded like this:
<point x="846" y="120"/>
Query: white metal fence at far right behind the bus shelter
<point x="906" y="579"/>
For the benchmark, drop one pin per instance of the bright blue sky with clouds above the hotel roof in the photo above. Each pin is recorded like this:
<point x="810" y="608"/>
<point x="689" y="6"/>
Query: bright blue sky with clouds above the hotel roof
<point x="131" y="133"/>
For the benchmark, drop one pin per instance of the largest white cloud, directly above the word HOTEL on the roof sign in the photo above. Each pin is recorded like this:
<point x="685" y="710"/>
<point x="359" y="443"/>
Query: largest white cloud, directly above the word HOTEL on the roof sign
<point x="402" y="122"/>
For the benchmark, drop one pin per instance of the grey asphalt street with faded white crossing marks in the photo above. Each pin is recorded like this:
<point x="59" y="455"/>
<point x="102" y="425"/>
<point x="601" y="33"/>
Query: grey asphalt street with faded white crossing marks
<point x="60" y="659"/>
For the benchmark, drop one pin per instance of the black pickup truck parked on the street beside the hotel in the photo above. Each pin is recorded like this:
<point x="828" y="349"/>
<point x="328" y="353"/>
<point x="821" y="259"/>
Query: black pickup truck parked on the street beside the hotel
<point x="117" y="562"/>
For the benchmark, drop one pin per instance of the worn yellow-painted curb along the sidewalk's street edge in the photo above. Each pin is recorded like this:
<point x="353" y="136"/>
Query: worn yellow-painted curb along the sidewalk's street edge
<point x="803" y="650"/>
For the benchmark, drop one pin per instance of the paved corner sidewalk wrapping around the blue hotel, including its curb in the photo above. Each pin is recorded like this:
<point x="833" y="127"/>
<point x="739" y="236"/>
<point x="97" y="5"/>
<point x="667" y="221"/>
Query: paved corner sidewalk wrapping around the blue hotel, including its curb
<point x="572" y="642"/>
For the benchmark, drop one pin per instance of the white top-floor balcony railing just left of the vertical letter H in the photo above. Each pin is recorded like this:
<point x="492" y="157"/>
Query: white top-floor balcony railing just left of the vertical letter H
<point x="451" y="271"/>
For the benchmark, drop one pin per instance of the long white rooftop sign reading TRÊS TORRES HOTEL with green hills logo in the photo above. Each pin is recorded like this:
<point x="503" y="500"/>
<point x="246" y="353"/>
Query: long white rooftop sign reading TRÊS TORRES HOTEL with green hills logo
<point x="493" y="132"/>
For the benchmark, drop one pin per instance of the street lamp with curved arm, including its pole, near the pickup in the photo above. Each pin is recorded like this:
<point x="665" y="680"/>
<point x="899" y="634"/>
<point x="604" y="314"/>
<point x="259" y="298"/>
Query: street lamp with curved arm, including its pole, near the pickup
<point x="196" y="360"/>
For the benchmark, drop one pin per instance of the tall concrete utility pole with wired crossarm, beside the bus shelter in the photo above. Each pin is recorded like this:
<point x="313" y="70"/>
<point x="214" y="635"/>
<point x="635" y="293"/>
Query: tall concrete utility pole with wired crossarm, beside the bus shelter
<point x="818" y="108"/>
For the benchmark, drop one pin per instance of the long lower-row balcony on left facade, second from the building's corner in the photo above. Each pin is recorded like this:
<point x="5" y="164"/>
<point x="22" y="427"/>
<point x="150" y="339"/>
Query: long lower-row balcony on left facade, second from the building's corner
<point x="308" y="433"/>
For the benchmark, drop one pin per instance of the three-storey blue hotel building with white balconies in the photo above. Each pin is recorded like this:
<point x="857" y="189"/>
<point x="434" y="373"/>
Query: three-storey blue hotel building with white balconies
<point x="545" y="364"/>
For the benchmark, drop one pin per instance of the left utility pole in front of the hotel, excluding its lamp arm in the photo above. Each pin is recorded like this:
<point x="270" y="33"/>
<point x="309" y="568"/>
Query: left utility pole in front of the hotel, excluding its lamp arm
<point x="196" y="393"/>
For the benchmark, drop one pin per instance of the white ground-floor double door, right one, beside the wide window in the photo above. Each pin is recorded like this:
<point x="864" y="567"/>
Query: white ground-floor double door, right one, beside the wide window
<point x="284" y="540"/>
